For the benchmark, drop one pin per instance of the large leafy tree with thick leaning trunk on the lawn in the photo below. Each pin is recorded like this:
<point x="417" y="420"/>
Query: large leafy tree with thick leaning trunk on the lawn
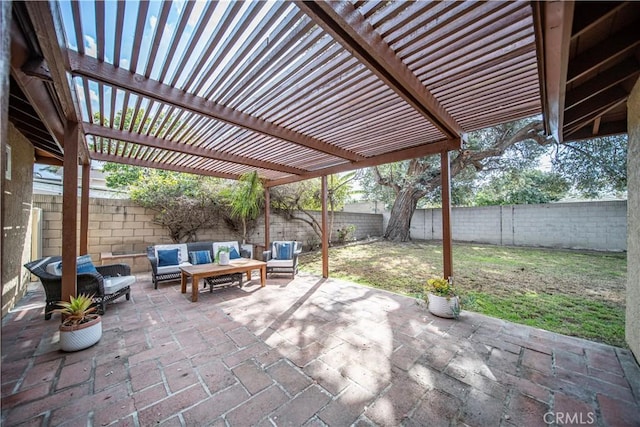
<point x="515" y="146"/>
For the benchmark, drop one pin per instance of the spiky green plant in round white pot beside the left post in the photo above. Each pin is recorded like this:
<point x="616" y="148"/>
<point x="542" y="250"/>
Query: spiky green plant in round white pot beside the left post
<point x="81" y="326"/>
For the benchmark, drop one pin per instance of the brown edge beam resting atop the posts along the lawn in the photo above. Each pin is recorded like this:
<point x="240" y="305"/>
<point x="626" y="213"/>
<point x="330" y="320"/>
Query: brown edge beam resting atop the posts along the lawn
<point x="396" y="156"/>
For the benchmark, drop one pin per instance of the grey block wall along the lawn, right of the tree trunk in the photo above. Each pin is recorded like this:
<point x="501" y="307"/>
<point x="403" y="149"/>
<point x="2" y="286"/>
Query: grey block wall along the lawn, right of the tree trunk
<point x="581" y="225"/>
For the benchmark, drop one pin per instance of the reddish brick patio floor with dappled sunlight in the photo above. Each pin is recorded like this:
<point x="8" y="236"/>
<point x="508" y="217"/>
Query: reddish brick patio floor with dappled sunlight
<point x="307" y="352"/>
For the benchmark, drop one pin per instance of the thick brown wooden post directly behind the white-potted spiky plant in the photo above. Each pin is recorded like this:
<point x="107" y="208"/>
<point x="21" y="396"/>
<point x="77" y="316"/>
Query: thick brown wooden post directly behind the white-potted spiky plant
<point x="70" y="210"/>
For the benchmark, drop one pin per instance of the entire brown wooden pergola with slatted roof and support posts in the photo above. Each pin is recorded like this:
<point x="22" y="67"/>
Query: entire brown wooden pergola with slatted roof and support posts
<point x="298" y="90"/>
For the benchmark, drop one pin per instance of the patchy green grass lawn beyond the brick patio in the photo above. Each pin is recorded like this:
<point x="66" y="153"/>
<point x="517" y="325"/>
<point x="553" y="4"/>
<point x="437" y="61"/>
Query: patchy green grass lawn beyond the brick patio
<point x="570" y="292"/>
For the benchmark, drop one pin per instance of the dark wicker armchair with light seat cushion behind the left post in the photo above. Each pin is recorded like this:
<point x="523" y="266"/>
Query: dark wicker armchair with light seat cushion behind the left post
<point x="107" y="284"/>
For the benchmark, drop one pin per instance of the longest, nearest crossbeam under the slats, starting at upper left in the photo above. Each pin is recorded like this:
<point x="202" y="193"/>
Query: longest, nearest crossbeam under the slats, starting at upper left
<point x="91" y="68"/>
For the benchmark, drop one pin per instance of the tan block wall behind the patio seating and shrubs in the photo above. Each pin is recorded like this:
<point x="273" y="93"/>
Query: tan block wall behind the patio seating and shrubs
<point x="121" y="226"/>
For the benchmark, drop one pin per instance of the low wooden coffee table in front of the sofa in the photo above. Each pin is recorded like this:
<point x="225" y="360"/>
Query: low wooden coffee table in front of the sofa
<point x="211" y="270"/>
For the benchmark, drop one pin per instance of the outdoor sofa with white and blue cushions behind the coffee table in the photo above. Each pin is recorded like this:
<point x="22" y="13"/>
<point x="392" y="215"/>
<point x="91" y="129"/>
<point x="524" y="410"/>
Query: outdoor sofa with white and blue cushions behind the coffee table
<point x="166" y="260"/>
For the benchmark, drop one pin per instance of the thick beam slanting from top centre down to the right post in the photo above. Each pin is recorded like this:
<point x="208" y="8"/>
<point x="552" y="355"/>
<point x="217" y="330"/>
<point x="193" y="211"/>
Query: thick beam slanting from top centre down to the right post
<point x="347" y="25"/>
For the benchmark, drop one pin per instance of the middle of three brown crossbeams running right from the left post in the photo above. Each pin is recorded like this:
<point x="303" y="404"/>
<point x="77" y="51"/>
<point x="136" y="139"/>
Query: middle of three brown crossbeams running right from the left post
<point x="163" y="144"/>
